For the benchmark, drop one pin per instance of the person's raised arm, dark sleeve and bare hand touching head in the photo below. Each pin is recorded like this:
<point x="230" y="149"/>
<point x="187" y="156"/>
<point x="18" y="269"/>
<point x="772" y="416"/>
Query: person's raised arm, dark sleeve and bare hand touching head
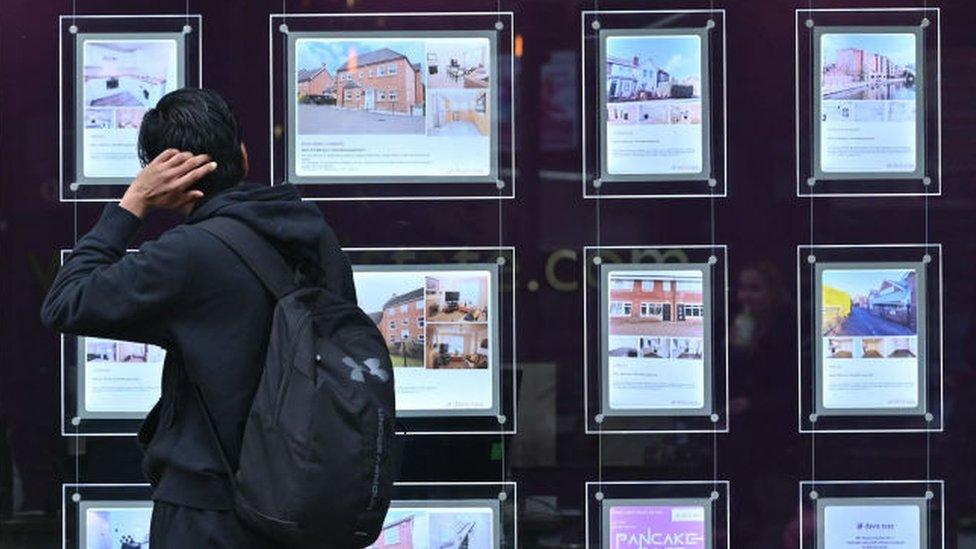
<point x="103" y="291"/>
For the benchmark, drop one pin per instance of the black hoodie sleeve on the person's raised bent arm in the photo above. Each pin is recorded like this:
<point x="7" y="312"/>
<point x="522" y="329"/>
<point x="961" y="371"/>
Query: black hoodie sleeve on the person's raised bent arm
<point x="103" y="291"/>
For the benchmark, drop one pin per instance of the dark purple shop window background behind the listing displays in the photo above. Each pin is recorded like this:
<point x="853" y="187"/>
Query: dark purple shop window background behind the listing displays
<point x="551" y="458"/>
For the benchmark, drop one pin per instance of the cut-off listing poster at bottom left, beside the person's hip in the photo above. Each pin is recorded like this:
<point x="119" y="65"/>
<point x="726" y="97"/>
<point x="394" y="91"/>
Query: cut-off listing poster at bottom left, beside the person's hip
<point x="108" y="527"/>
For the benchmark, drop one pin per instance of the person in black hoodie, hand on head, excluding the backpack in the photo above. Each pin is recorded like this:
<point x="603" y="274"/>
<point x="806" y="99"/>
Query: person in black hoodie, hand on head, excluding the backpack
<point x="190" y="294"/>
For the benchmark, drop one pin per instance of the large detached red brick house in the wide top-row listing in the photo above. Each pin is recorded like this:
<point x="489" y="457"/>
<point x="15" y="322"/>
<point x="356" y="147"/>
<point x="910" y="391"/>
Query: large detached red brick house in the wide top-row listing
<point x="382" y="80"/>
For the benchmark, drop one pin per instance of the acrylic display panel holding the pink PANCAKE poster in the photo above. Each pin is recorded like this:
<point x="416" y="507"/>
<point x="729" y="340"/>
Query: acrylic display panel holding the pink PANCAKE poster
<point x="637" y="515"/>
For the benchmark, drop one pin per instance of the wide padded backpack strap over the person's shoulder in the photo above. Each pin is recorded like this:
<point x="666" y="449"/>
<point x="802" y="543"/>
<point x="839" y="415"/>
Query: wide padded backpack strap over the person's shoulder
<point x="258" y="254"/>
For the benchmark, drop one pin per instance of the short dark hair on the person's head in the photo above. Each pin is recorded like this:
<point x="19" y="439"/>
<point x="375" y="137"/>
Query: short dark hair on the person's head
<point x="198" y="121"/>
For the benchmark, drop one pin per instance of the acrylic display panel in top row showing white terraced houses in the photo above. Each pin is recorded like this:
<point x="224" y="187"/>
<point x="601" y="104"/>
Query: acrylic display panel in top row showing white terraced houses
<point x="654" y="103"/>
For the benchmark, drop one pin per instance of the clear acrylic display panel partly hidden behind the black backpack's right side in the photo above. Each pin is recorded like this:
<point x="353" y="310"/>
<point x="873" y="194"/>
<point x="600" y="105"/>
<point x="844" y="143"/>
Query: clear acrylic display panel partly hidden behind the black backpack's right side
<point x="447" y="317"/>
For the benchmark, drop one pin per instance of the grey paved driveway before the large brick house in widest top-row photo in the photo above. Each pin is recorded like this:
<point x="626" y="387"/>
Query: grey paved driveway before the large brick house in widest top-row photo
<point x="327" y="119"/>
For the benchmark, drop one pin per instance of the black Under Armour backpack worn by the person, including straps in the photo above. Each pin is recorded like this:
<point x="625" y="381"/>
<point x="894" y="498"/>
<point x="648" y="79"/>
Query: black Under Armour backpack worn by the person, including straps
<point x="317" y="460"/>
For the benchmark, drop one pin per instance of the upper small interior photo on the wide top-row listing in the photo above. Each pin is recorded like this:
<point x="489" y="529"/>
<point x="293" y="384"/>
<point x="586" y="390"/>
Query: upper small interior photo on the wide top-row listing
<point x="458" y="63"/>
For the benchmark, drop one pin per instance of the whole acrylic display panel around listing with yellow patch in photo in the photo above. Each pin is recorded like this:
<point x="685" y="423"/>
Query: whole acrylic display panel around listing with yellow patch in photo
<point x="870" y="338"/>
